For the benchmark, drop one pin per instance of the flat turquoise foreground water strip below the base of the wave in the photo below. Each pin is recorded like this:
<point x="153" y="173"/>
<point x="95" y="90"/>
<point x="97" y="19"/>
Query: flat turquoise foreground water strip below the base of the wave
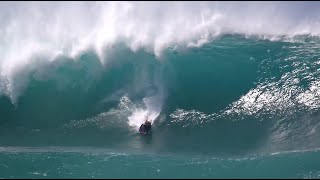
<point x="60" y="162"/>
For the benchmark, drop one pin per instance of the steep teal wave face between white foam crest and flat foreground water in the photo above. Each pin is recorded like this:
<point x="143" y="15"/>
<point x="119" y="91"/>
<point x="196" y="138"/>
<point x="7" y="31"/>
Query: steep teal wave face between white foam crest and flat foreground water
<point x="244" y="94"/>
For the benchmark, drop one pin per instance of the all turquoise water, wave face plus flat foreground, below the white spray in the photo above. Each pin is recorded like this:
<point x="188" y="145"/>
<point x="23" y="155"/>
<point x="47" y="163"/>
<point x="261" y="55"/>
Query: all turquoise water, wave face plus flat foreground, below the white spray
<point x="68" y="126"/>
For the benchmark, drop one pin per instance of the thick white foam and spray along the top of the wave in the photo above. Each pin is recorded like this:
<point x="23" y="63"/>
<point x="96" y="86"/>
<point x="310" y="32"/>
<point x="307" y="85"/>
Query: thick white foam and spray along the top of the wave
<point x="49" y="29"/>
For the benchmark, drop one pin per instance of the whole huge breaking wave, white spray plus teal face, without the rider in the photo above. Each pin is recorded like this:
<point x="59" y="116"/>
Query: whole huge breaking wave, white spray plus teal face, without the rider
<point x="216" y="78"/>
